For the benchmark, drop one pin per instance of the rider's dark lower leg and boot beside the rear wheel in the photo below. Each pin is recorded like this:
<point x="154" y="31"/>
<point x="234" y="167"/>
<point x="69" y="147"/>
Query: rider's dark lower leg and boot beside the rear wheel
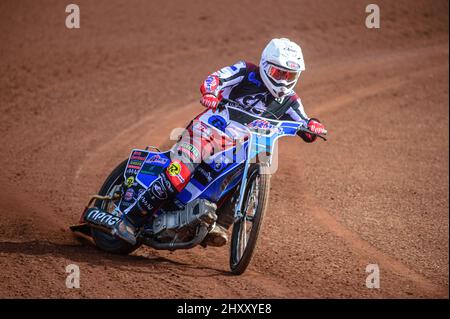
<point x="157" y="194"/>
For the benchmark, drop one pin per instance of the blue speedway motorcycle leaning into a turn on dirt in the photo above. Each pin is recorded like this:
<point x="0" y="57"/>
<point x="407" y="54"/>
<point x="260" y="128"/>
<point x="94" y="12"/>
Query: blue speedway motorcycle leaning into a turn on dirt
<point x="231" y="188"/>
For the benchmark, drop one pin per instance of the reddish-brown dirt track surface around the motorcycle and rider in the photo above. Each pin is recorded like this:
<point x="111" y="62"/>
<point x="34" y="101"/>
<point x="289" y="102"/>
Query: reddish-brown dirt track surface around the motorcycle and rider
<point x="74" y="102"/>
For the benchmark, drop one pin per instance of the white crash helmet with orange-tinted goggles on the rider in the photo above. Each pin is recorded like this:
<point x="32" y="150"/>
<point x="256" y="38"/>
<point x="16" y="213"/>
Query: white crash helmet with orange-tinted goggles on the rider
<point x="280" y="66"/>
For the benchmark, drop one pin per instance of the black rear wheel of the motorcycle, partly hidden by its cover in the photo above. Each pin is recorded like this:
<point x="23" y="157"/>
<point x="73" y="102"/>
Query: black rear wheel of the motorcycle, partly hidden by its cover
<point x="103" y="240"/>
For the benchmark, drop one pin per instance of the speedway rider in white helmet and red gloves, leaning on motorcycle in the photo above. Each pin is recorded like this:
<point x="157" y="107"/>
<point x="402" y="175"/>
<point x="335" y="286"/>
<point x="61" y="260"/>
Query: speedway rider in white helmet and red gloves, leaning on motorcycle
<point x="268" y="86"/>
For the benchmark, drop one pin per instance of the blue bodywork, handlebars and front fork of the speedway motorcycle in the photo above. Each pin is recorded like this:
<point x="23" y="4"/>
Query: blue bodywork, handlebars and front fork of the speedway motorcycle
<point x="225" y="174"/>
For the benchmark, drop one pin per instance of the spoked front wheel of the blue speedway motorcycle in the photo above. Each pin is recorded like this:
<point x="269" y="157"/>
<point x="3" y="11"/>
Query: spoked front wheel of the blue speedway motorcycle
<point x="246" y="230"/>
